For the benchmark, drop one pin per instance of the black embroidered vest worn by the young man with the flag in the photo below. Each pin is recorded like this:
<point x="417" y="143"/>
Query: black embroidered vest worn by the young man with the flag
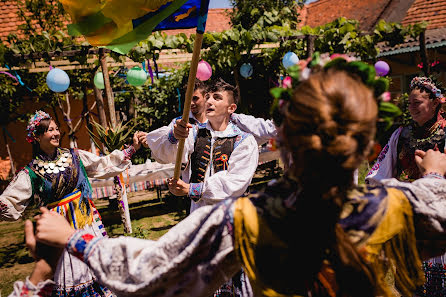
<point x="200" y="158"/>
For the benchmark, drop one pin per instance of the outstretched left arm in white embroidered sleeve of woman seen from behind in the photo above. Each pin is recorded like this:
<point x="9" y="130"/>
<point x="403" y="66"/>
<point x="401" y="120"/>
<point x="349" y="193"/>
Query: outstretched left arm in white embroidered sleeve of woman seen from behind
<point x="193" y="259"/>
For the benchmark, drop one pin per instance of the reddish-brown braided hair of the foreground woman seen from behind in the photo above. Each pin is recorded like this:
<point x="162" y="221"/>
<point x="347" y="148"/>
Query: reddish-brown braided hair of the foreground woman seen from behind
<point x="328" y="130"/>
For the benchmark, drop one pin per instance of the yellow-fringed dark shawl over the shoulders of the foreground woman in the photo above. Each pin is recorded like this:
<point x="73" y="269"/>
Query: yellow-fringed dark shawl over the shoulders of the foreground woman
<point x="376" y="219"/>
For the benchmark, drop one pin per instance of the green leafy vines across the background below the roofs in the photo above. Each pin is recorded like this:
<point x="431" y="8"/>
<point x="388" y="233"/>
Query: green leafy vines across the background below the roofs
<point x="155" y="105"/>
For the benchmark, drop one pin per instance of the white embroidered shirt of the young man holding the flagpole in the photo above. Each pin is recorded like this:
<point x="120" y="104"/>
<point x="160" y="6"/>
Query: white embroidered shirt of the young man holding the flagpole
<point x="232" y="182"/>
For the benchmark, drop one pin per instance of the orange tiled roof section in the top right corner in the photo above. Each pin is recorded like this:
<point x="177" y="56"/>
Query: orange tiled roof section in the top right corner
<point x="432" y="11"/>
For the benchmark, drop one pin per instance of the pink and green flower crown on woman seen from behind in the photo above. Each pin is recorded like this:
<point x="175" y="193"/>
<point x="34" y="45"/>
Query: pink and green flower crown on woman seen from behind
<point x="366" y="72"/>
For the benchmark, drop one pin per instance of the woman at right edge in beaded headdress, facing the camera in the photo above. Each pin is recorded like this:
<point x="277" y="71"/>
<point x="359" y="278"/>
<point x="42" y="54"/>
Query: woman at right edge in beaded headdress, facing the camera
<point x="397" y="159"/>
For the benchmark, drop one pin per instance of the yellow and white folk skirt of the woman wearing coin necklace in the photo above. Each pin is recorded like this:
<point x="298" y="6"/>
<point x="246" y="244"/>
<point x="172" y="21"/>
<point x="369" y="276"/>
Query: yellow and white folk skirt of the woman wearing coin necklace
<point x="72" y="276"/>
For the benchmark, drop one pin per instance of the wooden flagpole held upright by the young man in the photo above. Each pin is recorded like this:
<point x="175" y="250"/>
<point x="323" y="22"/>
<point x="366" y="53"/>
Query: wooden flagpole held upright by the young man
<point x="189" y="92"/>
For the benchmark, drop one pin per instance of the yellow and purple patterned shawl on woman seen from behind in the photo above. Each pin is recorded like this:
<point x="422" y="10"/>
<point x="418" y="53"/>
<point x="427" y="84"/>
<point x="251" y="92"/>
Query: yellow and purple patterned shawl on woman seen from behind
<point x="379" y="221"/>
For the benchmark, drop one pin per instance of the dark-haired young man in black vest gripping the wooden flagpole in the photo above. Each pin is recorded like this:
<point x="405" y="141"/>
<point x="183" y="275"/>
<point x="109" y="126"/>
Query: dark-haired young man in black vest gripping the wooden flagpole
<point x="220" y="158"/>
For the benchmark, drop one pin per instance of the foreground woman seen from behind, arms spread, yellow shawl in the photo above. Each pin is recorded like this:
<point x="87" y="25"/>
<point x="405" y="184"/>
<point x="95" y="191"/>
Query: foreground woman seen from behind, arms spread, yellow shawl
<point x="310" y="233"/>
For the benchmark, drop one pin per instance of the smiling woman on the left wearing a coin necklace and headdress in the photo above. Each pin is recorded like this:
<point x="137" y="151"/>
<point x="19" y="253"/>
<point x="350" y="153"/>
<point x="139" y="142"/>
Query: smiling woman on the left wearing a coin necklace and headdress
<point x="57" y="178"/>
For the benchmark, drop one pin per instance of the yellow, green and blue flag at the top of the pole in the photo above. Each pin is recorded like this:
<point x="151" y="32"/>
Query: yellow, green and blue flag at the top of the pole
<point x="119" y="25"/>
